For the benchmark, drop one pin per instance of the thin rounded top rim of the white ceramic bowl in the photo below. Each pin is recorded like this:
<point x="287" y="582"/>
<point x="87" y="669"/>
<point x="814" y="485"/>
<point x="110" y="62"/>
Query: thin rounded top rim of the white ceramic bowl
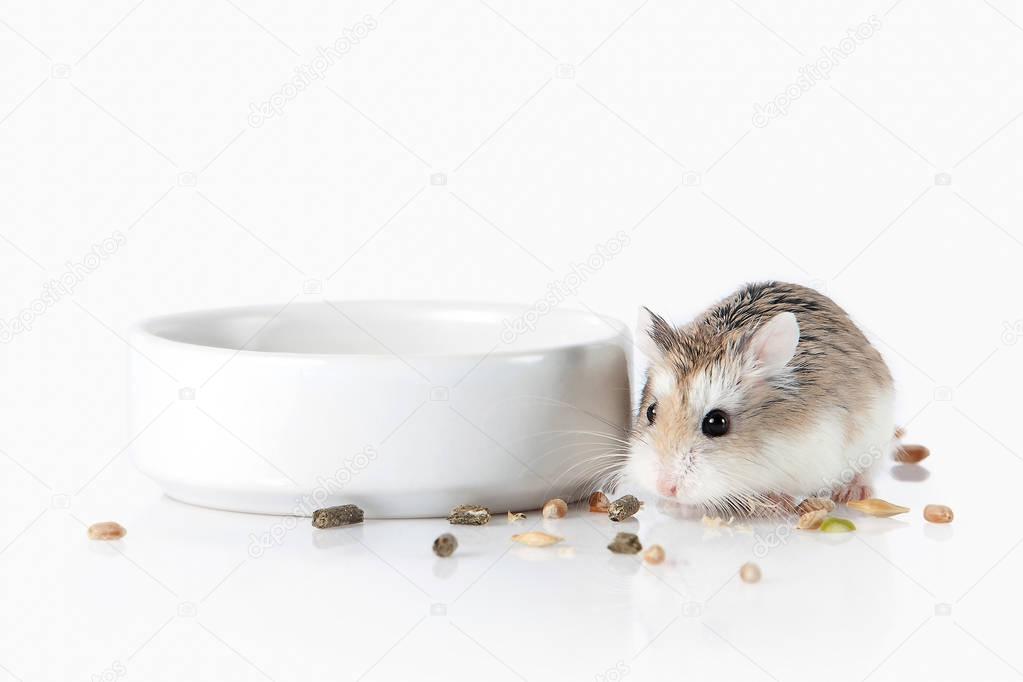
<point x="618" y="333"/>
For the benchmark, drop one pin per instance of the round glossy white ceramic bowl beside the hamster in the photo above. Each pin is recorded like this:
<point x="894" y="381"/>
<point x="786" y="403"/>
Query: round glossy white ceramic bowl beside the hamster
<point x="406" y="410"/>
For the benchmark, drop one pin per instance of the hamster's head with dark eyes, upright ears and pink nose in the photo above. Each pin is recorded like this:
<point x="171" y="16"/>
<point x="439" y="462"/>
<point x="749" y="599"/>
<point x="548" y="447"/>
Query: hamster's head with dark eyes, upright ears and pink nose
<point x="713" y="403"/>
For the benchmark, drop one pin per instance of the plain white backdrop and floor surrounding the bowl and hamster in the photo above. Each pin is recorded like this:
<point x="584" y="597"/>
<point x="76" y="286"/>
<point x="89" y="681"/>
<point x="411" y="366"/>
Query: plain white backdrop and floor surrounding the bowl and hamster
<point x="552" y="128"/>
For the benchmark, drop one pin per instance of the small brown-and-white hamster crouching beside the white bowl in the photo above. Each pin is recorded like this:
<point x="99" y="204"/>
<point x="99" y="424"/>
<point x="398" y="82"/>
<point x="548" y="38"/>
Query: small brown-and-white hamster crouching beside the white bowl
<point x="772" y="395"/>
